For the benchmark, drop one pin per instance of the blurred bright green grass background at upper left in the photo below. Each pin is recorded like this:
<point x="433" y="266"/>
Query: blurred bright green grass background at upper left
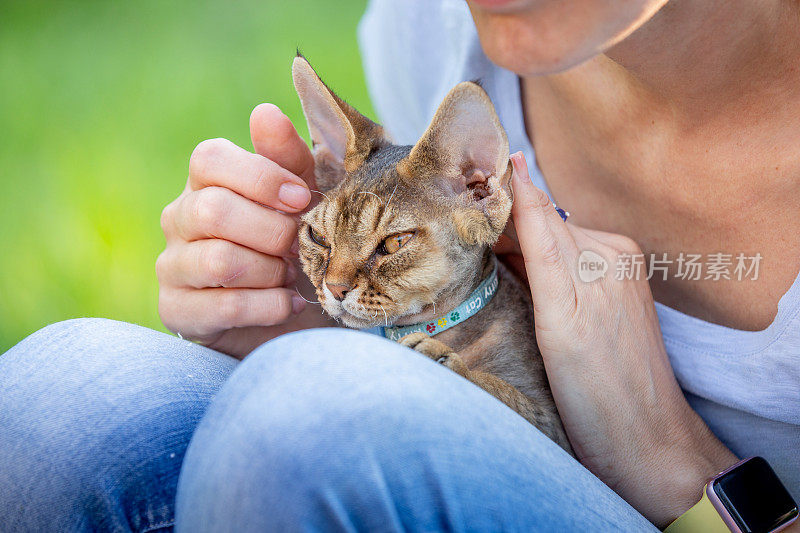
<point x="101" y="104"/>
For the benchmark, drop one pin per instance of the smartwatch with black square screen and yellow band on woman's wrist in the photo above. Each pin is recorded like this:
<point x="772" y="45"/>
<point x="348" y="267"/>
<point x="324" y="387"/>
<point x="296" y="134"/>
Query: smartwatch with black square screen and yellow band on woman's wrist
<point x="746" y="498"/>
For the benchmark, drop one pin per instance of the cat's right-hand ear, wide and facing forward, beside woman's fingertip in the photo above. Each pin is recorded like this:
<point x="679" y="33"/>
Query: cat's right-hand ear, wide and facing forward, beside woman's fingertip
<point x="465" y="149"/>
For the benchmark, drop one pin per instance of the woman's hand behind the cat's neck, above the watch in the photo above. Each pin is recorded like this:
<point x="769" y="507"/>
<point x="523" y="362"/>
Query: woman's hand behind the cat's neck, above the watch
<point x="622" y="408"/>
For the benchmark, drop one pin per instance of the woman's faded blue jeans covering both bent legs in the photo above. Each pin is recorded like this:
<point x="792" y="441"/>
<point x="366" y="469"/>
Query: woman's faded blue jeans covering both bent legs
<point x="106" y="426"/>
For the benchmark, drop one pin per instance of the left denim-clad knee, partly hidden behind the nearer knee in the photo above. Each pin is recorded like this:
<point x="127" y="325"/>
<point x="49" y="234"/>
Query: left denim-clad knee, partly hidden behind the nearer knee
<point x="96" y="415"/>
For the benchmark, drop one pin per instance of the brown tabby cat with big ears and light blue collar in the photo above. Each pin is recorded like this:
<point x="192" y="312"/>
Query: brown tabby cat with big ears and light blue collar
<point x="403" y="235"/>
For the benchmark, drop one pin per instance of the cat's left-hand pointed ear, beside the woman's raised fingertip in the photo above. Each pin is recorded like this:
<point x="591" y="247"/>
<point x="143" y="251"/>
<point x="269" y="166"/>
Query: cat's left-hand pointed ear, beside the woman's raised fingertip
<point x="342" y="137"/>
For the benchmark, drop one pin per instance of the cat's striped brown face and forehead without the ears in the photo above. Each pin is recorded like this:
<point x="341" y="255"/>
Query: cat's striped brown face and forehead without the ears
<point x="378" y="248"/>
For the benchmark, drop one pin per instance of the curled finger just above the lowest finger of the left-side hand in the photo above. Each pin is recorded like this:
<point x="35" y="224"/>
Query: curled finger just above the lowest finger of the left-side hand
<point x="218" y="263"/>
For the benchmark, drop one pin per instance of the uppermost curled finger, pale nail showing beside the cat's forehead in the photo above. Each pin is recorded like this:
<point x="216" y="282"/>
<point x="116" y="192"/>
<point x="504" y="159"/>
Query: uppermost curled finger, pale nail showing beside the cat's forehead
<point x="219" y="162"/>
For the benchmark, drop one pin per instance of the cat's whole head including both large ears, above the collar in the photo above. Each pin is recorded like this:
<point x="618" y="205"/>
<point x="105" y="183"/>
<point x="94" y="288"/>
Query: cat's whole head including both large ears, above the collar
<point x="401" y="229"/>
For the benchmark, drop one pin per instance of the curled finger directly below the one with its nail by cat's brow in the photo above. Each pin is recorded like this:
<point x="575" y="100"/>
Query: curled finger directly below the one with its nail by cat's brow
<point x="216" y="212"/>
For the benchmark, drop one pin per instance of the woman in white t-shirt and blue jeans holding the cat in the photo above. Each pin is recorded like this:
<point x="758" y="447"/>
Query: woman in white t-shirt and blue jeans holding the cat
<point x="673" y="124"/>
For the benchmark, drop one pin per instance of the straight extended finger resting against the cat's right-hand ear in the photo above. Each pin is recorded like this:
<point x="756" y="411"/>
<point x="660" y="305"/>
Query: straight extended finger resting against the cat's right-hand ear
<point x="545" y="263"/>
